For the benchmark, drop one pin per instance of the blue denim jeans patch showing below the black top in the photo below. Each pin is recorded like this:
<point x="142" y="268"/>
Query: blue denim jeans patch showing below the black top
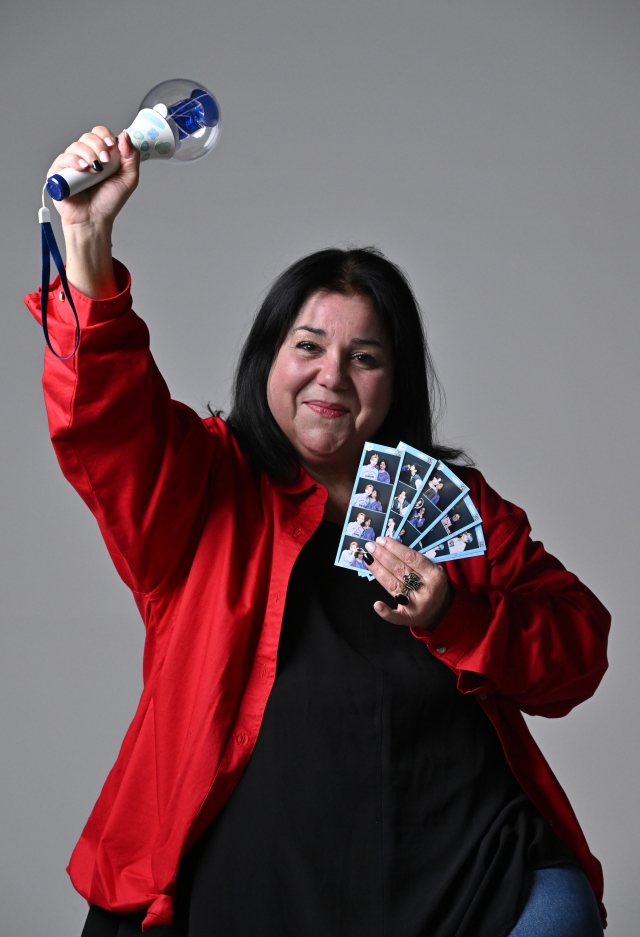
<point x="558" y="902"/>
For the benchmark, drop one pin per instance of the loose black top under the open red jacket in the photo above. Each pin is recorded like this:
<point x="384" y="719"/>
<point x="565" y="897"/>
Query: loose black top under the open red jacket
<point x="377" y="800"/>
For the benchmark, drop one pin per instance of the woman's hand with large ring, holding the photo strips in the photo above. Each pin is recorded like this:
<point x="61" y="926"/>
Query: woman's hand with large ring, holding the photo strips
<point x="428" y="603"/>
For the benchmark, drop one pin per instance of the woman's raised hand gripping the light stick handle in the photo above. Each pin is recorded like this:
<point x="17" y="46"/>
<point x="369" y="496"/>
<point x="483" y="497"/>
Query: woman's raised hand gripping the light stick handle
<point x="98" y="206"/>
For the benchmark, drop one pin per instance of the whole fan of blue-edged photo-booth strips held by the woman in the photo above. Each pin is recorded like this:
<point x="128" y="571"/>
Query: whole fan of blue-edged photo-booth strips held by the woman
<point x="412" y="497"/>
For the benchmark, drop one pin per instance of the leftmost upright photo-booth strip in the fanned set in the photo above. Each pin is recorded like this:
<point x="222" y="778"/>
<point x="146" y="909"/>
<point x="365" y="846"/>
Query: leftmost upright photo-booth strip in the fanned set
<point x="369" y="504"/>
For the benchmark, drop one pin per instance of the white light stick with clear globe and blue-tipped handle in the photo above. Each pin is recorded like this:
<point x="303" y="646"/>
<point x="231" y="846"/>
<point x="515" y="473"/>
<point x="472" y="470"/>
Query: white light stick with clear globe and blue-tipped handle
<point x="178" y="119"/>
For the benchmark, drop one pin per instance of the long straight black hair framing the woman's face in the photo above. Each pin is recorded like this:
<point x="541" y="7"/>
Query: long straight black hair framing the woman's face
<point x="417" y="395"/>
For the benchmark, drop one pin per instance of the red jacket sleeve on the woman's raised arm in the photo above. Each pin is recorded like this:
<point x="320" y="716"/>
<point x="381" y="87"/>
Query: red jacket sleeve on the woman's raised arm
<point x="141" y="461"/>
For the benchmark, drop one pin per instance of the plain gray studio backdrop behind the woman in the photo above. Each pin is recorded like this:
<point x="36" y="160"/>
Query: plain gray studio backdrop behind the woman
<point x="488" y="146"/>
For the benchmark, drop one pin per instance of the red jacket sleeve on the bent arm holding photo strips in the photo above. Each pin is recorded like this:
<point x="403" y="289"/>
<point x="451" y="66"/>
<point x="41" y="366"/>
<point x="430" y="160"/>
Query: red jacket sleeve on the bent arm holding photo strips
<point x="520" y="624"/>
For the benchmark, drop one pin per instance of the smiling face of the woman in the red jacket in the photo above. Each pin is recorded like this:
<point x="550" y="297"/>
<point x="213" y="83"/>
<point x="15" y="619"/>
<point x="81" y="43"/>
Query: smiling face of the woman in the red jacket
<point x="331" y="383"/>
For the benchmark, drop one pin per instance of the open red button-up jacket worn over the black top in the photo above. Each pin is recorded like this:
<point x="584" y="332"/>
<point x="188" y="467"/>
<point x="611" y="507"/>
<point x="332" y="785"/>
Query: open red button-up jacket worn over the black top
<point x="207" y="550"/>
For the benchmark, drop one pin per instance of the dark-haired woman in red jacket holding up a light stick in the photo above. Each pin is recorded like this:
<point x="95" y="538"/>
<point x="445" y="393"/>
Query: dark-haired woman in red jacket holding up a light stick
<point x="310" y="756"/>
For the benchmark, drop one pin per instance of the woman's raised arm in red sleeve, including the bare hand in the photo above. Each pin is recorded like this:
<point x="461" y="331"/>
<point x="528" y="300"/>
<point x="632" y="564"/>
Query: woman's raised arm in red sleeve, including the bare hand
<point x="142" y="462"/>
